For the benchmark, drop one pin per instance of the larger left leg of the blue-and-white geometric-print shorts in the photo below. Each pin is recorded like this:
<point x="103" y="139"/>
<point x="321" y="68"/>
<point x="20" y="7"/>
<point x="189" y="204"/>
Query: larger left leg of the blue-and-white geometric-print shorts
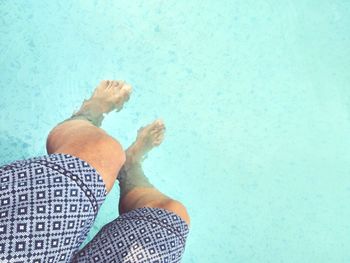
<point x="47" y="207"/>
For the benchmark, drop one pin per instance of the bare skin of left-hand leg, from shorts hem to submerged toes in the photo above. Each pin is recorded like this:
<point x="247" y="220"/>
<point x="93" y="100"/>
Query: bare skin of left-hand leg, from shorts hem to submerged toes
<point x="81" y="136"/>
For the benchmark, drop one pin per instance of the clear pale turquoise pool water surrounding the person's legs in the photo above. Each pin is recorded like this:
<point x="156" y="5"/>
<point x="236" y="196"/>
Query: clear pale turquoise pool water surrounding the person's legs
<point x="255" y="96"/>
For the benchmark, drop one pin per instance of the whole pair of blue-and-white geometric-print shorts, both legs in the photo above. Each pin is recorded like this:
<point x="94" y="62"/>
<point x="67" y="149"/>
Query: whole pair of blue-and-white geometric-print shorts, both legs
<point x="49" y="203"/>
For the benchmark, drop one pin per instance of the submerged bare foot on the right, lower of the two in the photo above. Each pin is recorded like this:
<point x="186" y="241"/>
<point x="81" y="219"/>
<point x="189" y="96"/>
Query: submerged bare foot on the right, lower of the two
<point x="148" y="137"/>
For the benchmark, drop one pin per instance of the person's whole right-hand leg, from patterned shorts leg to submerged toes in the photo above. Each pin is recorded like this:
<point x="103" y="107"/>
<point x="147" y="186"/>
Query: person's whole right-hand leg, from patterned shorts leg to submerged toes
<point x="151" y="227"/>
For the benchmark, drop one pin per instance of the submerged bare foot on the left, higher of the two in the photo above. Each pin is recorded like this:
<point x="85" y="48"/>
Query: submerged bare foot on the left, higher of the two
<point x="108" y="95"/>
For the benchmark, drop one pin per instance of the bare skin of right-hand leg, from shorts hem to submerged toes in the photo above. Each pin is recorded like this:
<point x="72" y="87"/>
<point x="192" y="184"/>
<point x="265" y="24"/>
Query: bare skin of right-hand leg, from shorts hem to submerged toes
<point x="135" y="189"/>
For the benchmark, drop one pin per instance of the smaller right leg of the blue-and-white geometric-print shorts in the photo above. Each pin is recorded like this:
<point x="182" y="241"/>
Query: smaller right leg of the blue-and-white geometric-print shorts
<point x="141" y="235"/>
